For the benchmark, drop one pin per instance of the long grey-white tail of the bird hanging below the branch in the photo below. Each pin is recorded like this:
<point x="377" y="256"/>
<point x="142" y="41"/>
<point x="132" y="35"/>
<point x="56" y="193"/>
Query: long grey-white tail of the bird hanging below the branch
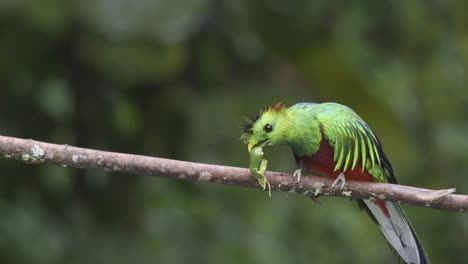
<point x="397" y="230"/>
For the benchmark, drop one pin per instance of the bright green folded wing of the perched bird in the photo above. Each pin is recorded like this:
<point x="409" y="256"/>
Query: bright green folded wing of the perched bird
<point x="352" y="139"/>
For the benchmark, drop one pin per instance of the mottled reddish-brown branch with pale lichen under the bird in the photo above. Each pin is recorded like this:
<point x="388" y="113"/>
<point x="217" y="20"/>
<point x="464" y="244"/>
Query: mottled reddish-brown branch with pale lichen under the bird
<point x="35" y="152"/>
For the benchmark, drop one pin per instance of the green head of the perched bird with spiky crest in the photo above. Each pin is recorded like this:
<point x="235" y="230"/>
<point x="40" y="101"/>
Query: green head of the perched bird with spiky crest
<point x="269" y="127"/>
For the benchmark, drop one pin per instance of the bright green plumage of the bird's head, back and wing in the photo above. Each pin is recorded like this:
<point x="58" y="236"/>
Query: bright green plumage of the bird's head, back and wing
<point x="303" y="126"/>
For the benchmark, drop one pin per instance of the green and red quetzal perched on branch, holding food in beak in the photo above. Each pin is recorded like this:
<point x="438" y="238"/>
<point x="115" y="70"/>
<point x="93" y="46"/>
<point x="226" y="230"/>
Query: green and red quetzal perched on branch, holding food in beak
<point x="332" y="139"/>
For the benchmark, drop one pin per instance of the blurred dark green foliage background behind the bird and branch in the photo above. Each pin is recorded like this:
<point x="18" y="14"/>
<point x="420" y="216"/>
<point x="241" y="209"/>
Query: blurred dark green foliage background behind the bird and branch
<point x="174" y="79"/>
